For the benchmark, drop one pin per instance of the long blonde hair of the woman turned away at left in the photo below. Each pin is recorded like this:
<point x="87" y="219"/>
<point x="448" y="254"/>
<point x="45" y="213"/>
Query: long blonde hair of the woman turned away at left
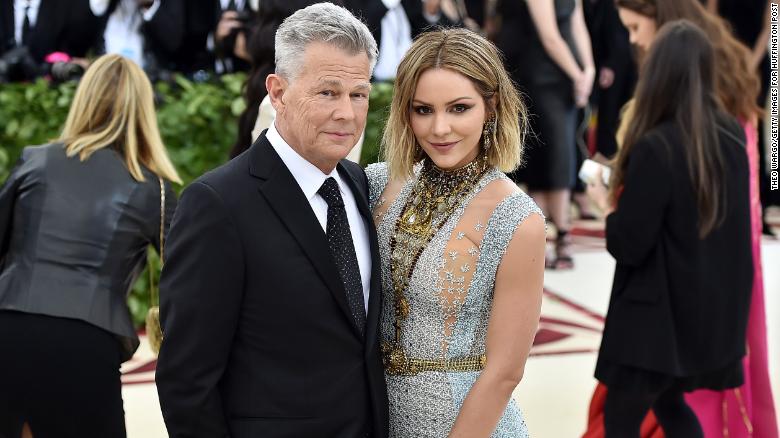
<point x="114" y="107"/>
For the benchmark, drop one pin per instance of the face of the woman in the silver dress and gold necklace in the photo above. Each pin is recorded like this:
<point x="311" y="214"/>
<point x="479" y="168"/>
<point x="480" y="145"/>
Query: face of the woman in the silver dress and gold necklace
<point x="448" y="115"/>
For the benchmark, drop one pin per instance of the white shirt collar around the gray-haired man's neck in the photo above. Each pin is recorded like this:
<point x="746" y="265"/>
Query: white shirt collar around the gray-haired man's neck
<point x="308" y="176"/>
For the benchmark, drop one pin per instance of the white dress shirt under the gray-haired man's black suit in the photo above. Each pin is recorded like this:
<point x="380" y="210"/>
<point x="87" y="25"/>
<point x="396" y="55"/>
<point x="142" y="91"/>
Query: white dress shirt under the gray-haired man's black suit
<point x="310" y="179"/>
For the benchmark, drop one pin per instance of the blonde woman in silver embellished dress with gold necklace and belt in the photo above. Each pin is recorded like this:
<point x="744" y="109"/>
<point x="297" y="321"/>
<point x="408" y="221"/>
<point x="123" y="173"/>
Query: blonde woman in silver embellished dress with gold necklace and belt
<point x="462" y="247"/>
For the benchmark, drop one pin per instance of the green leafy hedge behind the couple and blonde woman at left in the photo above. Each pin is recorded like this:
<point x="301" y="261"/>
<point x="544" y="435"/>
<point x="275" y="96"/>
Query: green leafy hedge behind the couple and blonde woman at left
<point x="197" y="121"/>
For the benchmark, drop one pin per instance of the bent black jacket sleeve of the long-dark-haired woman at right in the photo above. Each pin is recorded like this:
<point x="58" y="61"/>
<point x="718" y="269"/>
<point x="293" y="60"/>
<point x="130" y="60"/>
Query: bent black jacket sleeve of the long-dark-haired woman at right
<point x="634" y="228"/>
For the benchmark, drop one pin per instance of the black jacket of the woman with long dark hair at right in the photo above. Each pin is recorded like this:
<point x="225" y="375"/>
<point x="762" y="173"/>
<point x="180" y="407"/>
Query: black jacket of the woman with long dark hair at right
<point x="679" y="303"/>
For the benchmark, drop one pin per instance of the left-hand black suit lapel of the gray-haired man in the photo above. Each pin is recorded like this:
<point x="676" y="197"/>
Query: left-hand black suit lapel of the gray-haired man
<point x="285" y="197"/>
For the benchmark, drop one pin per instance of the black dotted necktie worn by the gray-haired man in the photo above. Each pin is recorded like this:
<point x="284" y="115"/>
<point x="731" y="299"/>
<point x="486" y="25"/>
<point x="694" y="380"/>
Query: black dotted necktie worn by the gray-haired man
<point x="343" y="250"/>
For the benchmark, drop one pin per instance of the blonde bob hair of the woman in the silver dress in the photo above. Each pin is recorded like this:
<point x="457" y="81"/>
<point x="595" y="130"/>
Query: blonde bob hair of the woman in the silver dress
<point x="476" y="58"/>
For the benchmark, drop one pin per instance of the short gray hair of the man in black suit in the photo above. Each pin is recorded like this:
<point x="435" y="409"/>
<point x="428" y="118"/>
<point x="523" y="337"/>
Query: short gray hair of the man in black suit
<point x="320" y="22"/>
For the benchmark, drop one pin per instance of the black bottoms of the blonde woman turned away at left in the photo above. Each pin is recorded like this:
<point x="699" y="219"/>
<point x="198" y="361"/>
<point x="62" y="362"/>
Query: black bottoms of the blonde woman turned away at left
<point x="59" y="375"/>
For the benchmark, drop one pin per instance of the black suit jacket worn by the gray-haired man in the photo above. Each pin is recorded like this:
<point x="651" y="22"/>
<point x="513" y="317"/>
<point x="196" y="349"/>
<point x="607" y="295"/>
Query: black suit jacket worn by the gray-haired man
<point x="259" y="340"/>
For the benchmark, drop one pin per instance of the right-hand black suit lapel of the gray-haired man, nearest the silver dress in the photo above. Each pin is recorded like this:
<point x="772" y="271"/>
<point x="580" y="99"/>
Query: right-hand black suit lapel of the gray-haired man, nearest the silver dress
<point x="375" y="293"/>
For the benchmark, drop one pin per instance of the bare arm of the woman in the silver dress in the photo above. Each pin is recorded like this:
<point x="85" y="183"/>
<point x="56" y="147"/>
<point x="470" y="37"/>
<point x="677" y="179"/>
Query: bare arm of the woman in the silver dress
<point x="511" y="329"/>
